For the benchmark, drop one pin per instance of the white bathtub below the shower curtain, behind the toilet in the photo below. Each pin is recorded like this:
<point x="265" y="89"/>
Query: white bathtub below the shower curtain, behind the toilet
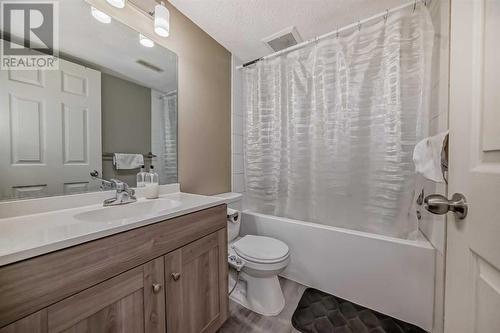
<point x="390" y="275"/>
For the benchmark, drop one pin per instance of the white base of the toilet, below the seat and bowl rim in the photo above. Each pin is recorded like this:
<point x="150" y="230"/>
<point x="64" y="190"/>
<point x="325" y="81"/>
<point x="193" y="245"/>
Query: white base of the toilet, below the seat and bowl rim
<point x="262" y="295"/>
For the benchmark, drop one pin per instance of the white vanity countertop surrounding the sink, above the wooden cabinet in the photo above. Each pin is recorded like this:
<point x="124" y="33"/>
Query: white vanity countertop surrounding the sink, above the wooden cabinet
<point x="27" y="236"/>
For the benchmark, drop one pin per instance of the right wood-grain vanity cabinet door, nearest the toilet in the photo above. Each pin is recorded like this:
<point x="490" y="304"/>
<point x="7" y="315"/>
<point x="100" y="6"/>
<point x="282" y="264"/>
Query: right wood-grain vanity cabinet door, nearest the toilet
<point x="196" y="285"/>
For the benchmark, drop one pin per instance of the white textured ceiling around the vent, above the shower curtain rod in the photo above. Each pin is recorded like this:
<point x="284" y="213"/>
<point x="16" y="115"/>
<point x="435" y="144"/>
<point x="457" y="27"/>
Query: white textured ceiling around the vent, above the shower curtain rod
<point x="240" y="25"/>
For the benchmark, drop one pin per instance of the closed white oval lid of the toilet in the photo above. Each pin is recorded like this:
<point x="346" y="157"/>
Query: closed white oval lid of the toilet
<point x="260" y="249"/>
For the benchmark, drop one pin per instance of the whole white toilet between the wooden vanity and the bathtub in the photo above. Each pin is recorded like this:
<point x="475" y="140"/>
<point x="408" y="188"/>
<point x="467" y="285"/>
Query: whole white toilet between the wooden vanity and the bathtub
<point x="260" y="259"/>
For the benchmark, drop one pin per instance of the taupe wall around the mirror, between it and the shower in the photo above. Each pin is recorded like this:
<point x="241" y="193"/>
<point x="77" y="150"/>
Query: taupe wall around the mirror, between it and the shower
<point x="204" y="98"/>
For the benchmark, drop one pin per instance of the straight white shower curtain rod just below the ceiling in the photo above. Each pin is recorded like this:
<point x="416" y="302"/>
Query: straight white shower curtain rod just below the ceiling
<point x="335" y="32"/>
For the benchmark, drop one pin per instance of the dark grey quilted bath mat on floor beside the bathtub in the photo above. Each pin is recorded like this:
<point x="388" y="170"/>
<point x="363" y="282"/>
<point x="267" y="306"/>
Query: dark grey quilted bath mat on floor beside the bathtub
<point x="319" y="312"/>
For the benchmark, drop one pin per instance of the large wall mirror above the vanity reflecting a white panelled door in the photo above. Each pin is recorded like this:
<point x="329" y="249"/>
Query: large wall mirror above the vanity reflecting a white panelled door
<point x="110" y="95"/>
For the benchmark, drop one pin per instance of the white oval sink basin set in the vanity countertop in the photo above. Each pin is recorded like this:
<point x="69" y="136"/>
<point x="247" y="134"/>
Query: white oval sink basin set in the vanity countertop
<point x="143" y="208"/>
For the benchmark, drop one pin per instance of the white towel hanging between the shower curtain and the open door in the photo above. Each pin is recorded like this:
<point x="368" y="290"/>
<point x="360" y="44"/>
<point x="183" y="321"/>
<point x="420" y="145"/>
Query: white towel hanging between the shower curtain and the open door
<point x="427" y="157"/>
